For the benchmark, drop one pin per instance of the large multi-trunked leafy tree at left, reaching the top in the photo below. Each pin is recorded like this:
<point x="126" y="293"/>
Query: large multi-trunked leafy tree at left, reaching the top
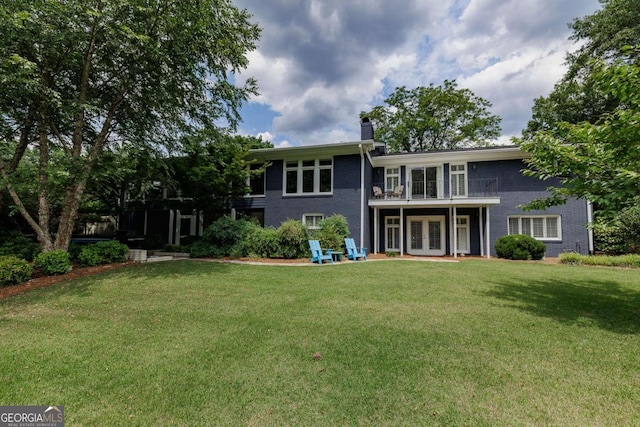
<point x="81" y="76"/>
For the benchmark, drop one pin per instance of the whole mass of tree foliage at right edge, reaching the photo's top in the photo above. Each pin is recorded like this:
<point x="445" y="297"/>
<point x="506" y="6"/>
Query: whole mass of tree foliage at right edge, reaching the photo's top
<point x="586" y="133"/>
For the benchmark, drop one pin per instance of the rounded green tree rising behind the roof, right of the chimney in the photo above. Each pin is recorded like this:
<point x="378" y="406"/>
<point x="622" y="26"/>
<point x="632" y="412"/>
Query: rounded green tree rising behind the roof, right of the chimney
<point x="434" y="118"/>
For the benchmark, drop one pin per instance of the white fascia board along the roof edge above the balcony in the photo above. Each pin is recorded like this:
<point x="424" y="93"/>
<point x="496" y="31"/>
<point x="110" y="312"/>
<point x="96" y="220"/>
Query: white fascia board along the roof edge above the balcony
<point x="453" y="156"/>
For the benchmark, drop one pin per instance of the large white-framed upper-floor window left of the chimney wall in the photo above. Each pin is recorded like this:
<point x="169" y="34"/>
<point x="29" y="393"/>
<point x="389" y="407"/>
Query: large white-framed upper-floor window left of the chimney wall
<point x="308" y="177"/>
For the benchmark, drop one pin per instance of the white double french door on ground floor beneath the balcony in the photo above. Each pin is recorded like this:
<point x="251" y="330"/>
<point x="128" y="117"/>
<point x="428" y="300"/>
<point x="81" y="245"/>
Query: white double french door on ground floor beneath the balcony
<point x="426" y="235"/>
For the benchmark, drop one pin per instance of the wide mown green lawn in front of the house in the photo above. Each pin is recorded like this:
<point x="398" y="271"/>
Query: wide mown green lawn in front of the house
<point x="403" y="343"/>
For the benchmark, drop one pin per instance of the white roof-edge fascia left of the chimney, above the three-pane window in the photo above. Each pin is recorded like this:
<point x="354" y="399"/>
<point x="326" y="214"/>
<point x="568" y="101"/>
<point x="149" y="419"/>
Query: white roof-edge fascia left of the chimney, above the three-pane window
<point x="312" y="151"/>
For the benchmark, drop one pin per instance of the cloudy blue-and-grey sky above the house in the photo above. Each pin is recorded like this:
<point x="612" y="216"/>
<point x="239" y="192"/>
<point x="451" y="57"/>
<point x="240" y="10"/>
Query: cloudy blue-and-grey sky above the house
<point x="319" y="63"/>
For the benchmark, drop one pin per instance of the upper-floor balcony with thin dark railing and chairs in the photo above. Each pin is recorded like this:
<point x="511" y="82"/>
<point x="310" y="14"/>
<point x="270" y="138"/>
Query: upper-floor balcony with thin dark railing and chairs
<point x="434" y="190"/>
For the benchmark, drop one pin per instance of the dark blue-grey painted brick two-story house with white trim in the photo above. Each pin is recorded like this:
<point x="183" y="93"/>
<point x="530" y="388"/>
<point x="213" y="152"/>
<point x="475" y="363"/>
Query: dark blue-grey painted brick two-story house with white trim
<point x="455" y="202"/>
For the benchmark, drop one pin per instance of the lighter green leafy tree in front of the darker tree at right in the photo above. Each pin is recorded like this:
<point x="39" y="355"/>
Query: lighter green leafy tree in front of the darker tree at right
<point x="599" y="162"/>
